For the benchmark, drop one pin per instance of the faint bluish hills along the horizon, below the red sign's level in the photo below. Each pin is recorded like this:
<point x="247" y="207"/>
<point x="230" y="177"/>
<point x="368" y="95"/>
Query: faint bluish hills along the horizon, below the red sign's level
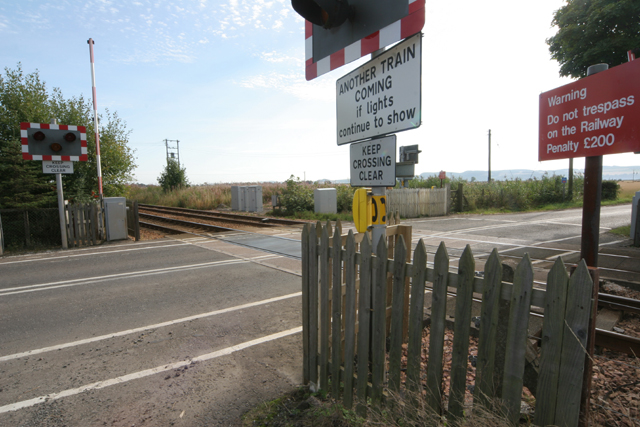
<point x="625" y="173"/>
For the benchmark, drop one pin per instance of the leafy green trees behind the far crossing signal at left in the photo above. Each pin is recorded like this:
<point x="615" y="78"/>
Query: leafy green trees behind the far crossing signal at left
<point x="24" y="98"/>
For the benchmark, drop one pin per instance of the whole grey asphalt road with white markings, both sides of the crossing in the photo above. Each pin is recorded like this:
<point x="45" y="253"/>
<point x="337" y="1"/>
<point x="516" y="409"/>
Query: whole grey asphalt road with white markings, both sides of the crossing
<point x="194" y="332"/>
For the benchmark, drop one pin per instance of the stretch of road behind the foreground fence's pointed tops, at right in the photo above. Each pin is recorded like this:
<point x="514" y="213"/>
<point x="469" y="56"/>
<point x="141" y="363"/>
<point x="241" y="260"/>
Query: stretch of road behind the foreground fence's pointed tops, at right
<point x="543" y="235"/>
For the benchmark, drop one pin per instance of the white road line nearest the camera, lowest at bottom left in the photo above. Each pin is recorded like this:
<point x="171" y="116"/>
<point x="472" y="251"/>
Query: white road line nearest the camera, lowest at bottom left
<point x="146" y="373"/>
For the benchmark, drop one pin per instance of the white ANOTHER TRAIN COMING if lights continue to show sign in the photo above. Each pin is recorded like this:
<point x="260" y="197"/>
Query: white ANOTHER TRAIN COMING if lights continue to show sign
<point x="383" y="96"/>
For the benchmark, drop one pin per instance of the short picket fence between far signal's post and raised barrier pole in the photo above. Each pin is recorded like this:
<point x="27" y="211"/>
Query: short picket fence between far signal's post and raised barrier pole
<point x="83" y="224"/>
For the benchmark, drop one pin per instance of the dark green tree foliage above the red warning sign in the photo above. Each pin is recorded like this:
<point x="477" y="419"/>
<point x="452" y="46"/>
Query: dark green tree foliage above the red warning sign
<point x="592" y="32"/>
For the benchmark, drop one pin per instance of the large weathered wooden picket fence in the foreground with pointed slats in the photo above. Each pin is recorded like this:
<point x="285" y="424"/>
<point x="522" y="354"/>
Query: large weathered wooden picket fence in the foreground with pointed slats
<point x="381" y="298"/>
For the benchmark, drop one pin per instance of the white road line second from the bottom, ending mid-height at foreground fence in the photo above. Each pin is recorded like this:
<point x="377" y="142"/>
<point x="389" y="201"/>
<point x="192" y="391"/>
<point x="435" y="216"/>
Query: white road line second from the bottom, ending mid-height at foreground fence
<point x="146" y="328"/>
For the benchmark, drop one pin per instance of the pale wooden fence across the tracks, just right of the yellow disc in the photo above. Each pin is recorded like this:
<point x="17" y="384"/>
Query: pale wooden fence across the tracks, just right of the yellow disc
<point x="417" y="202"/>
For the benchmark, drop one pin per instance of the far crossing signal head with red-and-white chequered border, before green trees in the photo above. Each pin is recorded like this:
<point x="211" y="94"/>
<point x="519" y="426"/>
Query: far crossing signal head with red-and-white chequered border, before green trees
<point x="41" y="141"/>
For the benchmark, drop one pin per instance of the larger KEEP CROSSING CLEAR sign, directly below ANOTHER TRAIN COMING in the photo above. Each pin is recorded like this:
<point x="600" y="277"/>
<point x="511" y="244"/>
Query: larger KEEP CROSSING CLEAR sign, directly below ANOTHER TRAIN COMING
<point x="373" y="163"/>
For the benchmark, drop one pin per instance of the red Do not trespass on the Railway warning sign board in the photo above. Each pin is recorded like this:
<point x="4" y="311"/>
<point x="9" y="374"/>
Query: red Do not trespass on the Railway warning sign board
<point x="597" y="115"/>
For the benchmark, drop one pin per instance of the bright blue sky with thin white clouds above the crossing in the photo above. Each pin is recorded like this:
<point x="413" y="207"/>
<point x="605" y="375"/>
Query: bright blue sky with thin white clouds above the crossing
<point x="226" y="79"/>
